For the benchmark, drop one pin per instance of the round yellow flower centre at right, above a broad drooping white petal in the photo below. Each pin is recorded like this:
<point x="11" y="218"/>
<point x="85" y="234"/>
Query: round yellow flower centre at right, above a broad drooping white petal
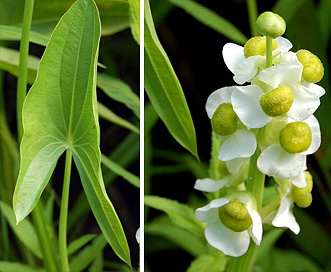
<point x="295" y="137"/>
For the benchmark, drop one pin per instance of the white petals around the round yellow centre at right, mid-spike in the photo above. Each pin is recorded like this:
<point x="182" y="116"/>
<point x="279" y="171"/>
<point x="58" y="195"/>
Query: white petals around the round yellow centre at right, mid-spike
<point x="277" y="162"/>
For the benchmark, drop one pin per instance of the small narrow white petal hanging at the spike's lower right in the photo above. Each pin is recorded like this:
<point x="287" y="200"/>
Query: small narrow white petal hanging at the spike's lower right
<point x="284" y="216"/>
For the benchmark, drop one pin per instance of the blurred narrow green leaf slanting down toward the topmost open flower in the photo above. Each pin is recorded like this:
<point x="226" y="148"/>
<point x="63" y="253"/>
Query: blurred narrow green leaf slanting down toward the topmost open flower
<point x="211" y="19"/>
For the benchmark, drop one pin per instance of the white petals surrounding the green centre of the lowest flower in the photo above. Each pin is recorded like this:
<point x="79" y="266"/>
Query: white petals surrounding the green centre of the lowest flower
<point x="230" y="242"/>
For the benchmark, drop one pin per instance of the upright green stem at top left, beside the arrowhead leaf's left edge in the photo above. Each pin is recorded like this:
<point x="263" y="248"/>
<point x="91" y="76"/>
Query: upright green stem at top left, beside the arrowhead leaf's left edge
<point x="22" y="72"/>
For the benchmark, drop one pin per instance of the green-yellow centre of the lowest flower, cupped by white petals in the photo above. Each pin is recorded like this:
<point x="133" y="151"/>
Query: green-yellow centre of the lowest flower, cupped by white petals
<point x="234" y="215"/>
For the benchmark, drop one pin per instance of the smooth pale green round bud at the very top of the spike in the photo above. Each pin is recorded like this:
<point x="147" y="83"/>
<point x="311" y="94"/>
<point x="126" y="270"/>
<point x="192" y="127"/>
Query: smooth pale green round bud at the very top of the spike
<point x="270" y="25"/>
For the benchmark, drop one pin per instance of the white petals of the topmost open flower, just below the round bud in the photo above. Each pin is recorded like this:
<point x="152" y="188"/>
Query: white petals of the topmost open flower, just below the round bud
<point x="245" y="69"/>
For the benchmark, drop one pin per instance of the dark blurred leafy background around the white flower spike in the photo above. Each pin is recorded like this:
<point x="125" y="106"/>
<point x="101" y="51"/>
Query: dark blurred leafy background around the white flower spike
<point x="192" y="34"/>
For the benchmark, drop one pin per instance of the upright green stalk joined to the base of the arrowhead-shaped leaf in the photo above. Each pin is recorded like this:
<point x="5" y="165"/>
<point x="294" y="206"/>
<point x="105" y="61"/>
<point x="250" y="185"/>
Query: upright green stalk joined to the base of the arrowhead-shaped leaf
<point x="64" y="214"/>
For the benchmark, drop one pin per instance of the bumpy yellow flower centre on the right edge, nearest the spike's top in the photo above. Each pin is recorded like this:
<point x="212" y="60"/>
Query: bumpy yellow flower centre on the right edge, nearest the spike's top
<point x="313" y="70"/>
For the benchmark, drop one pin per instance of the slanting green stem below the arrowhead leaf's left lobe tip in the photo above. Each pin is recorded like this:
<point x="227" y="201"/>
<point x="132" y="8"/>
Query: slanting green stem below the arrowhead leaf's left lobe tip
<point x="44" y="240"/>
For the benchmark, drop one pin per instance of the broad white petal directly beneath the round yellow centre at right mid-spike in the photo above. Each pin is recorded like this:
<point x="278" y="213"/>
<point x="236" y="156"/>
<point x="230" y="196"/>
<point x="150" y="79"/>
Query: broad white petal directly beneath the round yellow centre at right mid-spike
<point x="275" y="161"/>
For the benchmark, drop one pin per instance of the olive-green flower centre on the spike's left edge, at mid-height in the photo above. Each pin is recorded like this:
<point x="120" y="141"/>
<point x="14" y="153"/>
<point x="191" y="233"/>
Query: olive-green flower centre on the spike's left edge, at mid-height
<point x="224" y="120"/>
